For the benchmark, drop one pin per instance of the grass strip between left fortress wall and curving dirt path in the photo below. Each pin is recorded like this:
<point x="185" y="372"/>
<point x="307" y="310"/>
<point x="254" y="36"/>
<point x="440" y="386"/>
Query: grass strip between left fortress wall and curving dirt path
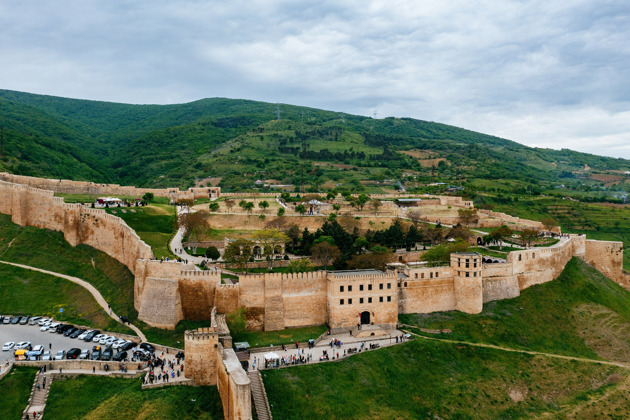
<point x="48" y="250"/>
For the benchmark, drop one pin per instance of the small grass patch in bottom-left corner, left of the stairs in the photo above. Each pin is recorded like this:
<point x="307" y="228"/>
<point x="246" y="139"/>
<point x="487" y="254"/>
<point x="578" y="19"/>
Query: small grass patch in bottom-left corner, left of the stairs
<point x="15" y="389"/>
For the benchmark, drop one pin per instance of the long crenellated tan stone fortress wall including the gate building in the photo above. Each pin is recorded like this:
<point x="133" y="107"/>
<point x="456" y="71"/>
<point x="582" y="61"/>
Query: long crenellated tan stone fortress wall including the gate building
<point x="167" y="292"/>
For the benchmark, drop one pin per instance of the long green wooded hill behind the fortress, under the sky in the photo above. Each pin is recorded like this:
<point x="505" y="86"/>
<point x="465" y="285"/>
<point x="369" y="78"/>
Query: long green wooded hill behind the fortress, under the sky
<point x="242" y="141"/>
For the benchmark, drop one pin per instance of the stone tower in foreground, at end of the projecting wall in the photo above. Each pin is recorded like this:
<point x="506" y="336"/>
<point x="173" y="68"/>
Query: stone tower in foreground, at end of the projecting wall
<point x="201" y="356"/>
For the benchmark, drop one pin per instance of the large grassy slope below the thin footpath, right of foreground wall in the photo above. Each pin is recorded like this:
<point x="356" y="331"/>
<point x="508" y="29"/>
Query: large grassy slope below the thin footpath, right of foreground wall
<point x="428" y="379"/>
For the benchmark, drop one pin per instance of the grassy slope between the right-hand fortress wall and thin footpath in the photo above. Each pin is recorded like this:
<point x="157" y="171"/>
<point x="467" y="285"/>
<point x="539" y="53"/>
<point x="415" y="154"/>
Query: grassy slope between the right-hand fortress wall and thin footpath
<point x="581" y="313"/>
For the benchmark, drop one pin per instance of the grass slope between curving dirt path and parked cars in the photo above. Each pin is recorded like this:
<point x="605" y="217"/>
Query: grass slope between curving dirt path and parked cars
<point x="26" y="292"/>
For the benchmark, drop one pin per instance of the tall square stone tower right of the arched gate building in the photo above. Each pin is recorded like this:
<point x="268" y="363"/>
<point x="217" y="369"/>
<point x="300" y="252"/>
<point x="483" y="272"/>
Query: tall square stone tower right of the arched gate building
<point x="467" y="281"/>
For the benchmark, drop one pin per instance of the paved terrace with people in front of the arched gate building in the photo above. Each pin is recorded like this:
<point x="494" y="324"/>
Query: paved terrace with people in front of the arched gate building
<point x="348" y="342"/>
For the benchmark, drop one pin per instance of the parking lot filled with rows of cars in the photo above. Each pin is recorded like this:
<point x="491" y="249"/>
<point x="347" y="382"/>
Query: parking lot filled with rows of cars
<point x="17" y="333"/>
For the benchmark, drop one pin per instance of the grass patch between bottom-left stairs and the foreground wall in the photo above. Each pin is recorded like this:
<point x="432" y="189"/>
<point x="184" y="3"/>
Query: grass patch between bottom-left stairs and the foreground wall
<point x="90" y="397"/>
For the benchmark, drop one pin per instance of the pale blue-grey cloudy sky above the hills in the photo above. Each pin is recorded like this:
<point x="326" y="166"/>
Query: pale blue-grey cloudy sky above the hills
<point x="545" y="73"/>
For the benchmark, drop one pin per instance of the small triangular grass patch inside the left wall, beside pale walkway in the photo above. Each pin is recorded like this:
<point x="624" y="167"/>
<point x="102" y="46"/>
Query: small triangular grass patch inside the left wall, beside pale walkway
<point x="155" y="224"/>
